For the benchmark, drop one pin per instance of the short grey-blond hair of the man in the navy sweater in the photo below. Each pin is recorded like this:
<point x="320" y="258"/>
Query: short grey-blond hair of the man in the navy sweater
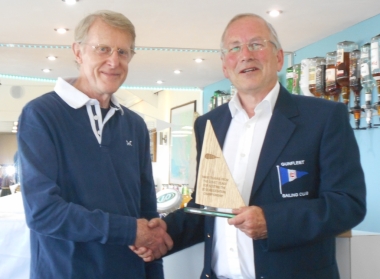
<point x="111" y="18"/>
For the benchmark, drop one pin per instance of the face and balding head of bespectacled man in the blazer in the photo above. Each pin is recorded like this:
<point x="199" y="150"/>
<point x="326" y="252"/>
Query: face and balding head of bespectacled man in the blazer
<point x="251" y="72"/>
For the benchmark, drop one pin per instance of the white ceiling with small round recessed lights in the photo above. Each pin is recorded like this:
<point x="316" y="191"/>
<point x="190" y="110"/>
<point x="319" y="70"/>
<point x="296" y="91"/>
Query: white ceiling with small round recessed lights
<point x="190" y="28"/>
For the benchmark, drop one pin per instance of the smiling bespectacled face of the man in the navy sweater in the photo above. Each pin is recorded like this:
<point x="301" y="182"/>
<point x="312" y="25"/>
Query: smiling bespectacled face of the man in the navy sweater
<point x="101" y="76"/>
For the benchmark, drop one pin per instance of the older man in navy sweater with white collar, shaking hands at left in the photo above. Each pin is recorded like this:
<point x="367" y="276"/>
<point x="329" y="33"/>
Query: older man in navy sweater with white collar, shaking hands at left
<point x="86" y="172"/>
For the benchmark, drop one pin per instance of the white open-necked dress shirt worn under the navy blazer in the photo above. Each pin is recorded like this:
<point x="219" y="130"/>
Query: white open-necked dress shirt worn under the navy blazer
<point x="232" y="249"/>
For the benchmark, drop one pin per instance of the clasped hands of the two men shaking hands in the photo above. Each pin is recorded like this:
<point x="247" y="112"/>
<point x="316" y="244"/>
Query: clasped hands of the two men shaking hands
<point x="152" y="241"/>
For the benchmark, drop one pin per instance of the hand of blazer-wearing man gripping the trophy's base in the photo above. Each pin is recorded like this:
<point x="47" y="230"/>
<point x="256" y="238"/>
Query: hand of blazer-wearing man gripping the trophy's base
<point x="251" y="221"/>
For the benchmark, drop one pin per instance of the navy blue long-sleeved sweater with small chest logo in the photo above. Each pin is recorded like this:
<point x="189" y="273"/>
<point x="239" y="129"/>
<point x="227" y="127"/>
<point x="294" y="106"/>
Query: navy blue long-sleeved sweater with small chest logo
<point x="82" y="198"/>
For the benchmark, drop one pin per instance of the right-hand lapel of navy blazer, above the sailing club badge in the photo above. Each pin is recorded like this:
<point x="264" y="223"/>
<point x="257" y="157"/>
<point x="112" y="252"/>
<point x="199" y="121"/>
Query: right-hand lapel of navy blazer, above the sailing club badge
<point x="278" y="134"/>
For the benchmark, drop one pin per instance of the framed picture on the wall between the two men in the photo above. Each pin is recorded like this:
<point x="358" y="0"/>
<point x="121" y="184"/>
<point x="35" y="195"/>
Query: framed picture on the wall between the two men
<point x="181" y="135"/>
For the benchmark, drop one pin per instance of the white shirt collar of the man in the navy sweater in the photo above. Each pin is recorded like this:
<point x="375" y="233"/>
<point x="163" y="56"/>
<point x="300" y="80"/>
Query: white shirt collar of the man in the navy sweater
<point x="75" y="98"/>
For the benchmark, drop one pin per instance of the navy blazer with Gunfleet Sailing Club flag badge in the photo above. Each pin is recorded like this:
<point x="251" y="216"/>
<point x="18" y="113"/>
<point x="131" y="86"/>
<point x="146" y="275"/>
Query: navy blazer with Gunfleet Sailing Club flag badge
<point x="312" y="138"/>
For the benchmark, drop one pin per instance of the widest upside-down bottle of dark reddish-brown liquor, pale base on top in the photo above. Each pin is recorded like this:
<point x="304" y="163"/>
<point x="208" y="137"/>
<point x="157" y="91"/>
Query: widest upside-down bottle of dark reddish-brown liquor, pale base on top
<point x="342" y="67"/>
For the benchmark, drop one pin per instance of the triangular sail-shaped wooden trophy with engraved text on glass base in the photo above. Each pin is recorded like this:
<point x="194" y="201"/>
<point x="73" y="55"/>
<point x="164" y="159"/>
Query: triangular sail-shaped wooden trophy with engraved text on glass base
<point x="216" y="191"/>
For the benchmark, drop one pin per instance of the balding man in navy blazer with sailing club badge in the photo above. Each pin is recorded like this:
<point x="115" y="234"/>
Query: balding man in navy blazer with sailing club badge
<point x="303" y="174"/>
